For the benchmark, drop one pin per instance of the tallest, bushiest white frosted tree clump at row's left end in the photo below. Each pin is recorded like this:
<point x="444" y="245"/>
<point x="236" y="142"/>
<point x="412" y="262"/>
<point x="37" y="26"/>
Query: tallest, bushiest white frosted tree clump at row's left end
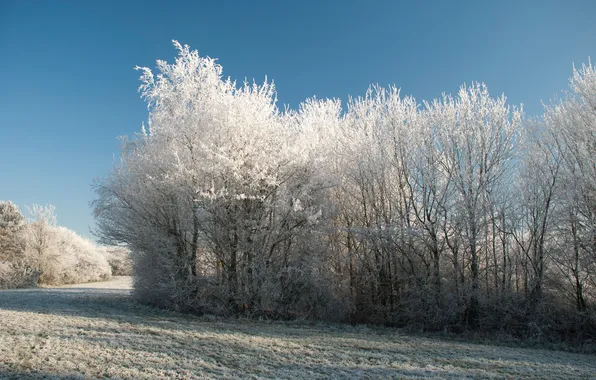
<point x="218" y="191"/>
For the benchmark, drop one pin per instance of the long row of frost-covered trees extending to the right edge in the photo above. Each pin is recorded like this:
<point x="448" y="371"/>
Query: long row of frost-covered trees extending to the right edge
<point x="445" y="213"/>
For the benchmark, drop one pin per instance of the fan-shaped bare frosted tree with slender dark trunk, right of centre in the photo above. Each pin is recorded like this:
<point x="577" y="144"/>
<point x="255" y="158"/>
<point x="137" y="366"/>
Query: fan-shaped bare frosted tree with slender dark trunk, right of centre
<point x="476" y="137"/>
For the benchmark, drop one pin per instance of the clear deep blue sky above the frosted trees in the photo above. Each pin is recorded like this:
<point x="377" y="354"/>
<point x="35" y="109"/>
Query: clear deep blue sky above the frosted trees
<point x="68" y="88"/>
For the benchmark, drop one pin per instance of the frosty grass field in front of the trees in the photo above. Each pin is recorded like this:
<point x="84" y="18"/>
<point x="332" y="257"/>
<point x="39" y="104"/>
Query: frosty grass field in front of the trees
<point x="96" y="331"/>
